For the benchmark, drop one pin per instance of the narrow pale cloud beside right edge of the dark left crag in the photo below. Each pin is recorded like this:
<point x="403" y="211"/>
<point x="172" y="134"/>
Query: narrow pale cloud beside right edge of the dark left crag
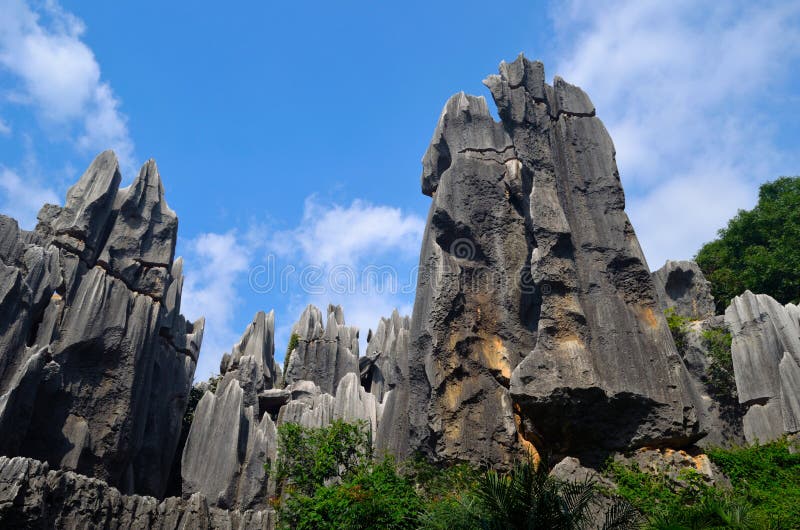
<point x="215" y="269"/>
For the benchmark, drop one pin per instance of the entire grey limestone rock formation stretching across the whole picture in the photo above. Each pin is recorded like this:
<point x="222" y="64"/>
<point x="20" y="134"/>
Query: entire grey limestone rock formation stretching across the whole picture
<point x="537" y="327"/>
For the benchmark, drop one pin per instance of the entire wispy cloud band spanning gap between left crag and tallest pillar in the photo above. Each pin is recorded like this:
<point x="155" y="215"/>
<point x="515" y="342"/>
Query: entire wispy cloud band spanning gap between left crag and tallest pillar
<point x="359" y="255"/>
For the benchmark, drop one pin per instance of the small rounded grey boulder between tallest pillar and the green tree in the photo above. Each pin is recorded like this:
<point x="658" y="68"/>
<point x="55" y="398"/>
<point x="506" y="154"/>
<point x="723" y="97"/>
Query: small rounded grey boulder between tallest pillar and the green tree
<point x="682" y="286"/>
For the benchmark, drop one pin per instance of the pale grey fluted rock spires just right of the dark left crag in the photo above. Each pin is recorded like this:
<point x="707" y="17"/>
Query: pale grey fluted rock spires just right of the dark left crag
<point x="231" y="438"/>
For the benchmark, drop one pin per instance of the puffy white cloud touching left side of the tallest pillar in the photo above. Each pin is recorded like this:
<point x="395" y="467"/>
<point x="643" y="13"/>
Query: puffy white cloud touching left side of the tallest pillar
<point x="364" y="253"/>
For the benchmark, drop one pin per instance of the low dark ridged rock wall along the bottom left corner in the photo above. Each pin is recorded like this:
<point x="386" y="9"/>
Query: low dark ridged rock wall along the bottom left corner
<point x="34" y="496"/>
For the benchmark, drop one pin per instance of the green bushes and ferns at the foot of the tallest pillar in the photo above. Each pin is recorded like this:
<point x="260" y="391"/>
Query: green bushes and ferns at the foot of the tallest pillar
<point x="328" y="478"/>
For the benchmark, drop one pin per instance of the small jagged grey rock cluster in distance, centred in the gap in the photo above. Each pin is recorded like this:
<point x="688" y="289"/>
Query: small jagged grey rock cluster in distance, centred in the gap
<point x="326" y="349"/>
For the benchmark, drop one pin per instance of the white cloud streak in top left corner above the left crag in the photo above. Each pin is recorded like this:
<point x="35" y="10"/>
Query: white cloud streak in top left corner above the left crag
<point x="59" y="76"/>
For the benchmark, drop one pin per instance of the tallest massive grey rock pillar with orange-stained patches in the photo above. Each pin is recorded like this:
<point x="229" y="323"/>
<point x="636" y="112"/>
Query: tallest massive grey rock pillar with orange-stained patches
<point x="535" y="318"/>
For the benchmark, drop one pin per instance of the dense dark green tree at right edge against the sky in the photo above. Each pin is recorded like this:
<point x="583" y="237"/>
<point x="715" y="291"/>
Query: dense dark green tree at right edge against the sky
<point x="758" y="249"/>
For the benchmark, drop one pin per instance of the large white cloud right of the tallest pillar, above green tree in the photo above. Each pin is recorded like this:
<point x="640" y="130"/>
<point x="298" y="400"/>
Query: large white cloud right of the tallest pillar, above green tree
<point x="684" y="89"/>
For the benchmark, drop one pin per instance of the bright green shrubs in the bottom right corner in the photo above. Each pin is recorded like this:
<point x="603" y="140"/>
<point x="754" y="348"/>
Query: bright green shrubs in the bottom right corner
<point x="764" y="491"/>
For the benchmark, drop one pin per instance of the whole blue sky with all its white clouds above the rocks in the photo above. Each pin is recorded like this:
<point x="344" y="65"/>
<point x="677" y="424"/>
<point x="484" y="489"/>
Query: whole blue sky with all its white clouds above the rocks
<point x="289" y="135"/>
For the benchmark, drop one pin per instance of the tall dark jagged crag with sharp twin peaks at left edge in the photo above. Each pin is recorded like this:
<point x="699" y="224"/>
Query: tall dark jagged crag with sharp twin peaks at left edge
<point x="94" y="354"/>
